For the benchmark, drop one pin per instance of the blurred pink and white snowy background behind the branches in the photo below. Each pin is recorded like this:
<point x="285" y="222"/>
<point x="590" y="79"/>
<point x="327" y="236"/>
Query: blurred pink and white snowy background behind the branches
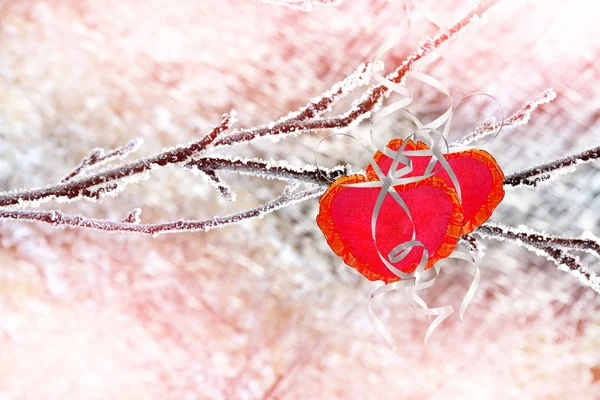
<point x="264" y="310"/>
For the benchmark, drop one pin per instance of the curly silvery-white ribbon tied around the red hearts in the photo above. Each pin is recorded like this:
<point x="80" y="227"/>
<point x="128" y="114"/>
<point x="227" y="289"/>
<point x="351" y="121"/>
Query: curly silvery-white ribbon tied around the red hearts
<point x="435" y="135"/>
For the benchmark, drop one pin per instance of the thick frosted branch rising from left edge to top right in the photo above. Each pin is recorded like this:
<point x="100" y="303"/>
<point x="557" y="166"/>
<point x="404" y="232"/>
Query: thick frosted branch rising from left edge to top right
<point x="73" y="189"/>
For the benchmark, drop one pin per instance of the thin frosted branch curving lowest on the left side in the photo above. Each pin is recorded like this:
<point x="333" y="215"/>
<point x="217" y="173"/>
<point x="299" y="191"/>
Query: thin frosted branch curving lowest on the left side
<point x="60" y="219"/>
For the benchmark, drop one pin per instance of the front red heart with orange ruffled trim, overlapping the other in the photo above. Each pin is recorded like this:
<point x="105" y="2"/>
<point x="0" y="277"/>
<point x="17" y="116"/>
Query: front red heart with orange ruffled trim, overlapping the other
<point x="345" y="219"/>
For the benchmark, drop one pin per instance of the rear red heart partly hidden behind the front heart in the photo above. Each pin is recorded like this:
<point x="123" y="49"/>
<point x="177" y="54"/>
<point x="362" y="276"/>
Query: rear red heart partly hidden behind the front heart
<point x="481" y="179"/>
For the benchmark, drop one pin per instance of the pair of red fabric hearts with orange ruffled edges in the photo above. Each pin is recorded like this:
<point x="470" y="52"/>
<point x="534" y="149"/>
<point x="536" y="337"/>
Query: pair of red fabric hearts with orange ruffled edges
<point x="438" y="217"/>
